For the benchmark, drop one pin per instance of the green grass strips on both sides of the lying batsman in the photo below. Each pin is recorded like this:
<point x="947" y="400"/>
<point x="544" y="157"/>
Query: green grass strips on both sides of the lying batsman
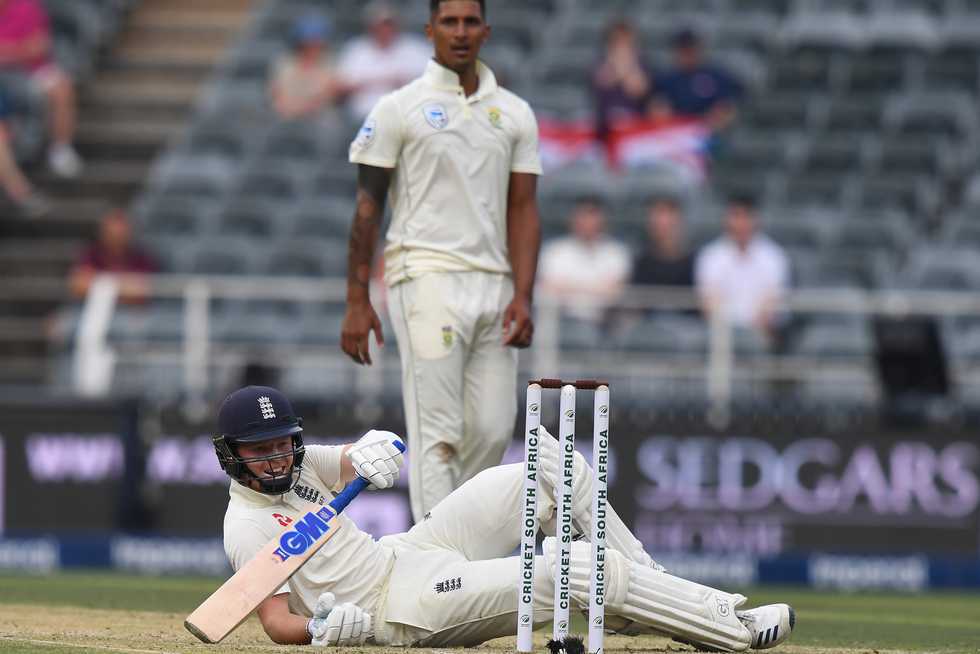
<point x="936" y="622"/>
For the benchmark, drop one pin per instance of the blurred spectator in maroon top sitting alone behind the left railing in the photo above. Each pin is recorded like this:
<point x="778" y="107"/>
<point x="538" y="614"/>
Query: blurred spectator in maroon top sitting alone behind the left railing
<point x="114" y="253"/>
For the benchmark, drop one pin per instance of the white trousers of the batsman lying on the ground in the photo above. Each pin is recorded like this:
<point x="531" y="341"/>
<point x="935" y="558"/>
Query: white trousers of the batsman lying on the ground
<point x="454" y="581"/>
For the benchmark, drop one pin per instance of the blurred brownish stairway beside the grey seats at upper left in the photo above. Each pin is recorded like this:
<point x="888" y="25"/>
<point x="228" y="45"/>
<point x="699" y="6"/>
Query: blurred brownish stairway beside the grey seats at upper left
<point x="140" y="99"/>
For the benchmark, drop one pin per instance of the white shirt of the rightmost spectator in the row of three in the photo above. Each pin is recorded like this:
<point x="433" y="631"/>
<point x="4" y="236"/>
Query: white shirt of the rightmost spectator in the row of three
<point x="743" y="282"/>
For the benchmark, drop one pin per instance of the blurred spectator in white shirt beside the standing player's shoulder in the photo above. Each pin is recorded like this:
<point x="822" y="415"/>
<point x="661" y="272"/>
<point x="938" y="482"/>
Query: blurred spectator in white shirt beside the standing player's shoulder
<point x="381" y="61"/>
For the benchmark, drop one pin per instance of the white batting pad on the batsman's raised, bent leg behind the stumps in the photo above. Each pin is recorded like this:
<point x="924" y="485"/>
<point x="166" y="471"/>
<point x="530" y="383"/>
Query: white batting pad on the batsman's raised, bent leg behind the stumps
<point x="618" y="535"/>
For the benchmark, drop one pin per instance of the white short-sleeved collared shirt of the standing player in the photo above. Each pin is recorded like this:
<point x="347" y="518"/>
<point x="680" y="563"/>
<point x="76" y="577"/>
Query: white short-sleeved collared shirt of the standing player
<point x="453" y="156"/>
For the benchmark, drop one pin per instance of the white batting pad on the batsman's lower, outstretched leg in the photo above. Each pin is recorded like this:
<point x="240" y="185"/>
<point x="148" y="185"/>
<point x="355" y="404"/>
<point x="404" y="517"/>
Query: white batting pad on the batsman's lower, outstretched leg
<point x="688" y="611"/>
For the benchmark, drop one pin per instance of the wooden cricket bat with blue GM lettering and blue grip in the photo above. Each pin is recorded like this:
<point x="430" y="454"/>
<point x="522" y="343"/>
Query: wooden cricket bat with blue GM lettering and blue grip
<point x="270" y="568"/>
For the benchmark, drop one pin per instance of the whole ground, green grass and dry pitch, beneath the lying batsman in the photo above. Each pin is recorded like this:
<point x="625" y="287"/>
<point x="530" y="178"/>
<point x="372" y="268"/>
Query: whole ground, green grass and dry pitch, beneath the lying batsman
<point x="75" y="614"/>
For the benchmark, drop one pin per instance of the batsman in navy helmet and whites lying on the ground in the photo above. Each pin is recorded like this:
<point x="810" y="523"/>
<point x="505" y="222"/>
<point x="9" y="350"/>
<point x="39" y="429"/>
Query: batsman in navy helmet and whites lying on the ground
<point x="450" y="580"/>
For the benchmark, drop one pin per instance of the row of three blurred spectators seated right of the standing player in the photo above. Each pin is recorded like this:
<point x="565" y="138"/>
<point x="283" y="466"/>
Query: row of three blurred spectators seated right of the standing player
<point x="741" y="275"/>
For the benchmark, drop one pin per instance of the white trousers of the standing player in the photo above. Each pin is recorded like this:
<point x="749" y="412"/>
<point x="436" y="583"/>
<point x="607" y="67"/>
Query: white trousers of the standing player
<point x="459" y="381"/>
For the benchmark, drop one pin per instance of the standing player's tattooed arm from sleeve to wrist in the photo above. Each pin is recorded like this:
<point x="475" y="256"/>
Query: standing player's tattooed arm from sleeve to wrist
<point x="372" y="189"/>
